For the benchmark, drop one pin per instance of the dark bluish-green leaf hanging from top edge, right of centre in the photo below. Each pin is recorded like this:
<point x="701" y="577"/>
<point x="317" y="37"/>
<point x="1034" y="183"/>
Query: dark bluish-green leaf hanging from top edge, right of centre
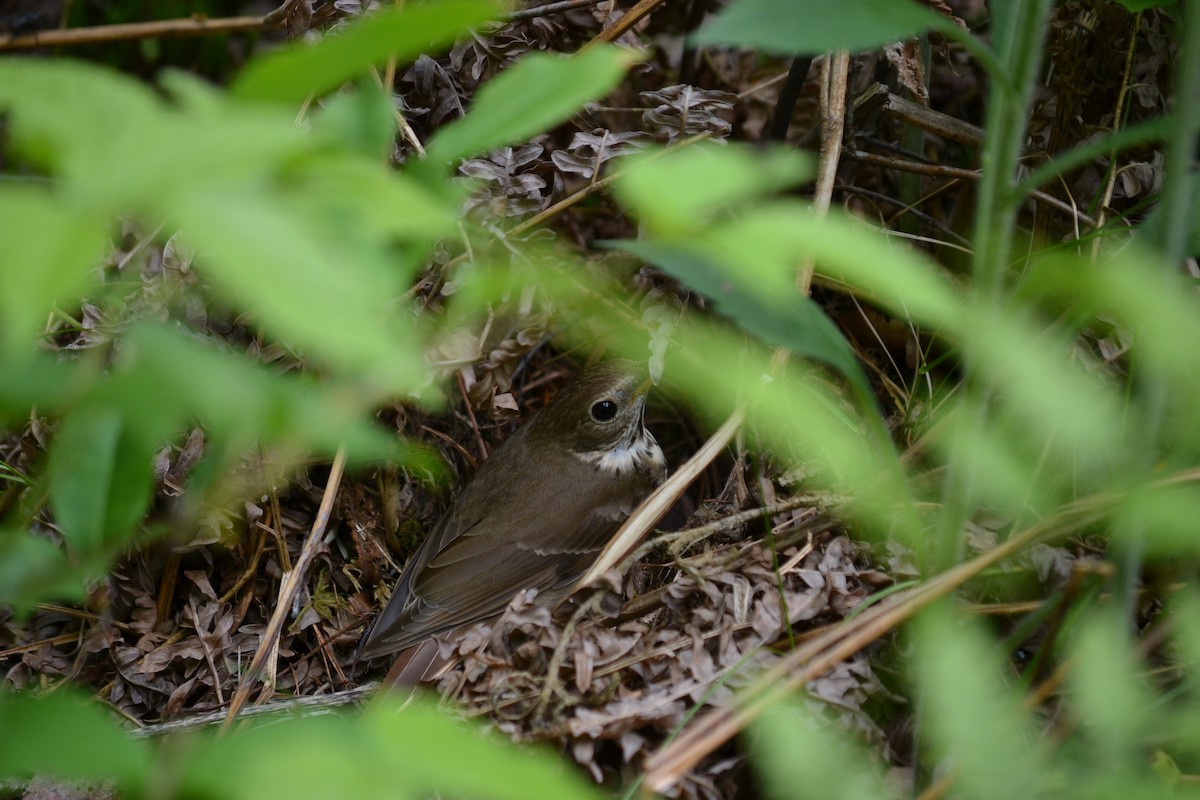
<point x="812" y="27"/>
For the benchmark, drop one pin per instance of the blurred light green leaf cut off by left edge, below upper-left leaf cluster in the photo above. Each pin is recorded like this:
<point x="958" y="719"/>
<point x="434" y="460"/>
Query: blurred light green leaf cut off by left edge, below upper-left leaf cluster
<point x="49" y="249"/>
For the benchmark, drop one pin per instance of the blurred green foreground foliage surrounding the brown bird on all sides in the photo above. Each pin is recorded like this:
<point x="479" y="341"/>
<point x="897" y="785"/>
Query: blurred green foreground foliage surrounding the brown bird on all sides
<point x="305" y="231"/>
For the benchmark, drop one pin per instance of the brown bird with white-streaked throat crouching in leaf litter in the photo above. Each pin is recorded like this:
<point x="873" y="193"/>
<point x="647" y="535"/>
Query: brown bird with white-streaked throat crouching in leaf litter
<point x="536" y="515"/>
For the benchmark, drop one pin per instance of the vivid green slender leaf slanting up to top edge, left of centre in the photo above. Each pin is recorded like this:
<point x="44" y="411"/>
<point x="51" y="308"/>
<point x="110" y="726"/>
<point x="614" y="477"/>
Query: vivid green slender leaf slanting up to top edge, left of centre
<point x="295" y="74"/>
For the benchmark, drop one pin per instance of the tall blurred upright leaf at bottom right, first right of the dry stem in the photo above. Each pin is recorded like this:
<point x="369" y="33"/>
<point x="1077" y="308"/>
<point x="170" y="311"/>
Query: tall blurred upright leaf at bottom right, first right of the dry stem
<point x="970" y="718"/>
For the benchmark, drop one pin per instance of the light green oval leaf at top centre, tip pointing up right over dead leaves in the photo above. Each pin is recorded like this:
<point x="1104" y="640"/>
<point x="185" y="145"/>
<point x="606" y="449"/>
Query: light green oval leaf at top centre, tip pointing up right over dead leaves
<point x="530" y="98"/>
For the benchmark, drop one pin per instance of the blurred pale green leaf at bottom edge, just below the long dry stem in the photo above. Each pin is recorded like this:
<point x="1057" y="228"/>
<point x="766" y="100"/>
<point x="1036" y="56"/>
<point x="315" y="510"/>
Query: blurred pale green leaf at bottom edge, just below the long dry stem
<point x="833" y="765"/>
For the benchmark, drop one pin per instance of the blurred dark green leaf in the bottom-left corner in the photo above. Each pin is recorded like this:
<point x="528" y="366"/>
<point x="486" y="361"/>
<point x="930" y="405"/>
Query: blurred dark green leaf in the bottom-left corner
<point x="68" y="737"/>
